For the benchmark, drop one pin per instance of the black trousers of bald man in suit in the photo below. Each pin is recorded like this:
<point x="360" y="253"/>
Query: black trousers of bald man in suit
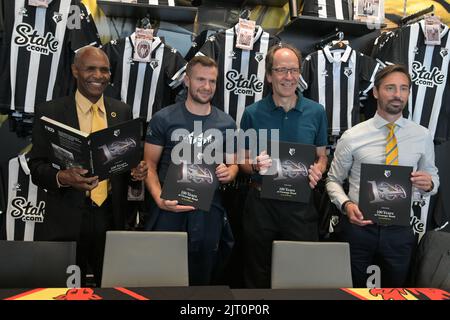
<point x="91" y="244"/>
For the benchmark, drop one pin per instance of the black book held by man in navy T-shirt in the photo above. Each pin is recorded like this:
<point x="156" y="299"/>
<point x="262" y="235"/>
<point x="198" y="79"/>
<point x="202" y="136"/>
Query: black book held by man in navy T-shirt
<point x="191" y="184"/>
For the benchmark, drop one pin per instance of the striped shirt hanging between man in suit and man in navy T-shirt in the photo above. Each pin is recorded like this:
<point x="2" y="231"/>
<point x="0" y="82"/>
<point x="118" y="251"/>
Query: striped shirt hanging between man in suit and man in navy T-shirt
<point x="147" y="87"/>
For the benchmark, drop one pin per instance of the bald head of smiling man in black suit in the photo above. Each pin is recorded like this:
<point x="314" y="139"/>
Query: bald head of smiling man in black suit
<point x="91" y="69"/>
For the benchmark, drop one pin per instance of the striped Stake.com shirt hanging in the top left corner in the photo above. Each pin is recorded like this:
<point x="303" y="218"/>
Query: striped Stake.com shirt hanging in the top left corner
<point x="38" y="49"/>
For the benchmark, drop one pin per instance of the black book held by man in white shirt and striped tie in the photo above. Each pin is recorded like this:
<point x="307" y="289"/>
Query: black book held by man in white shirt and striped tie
<point x="385" y="194"/>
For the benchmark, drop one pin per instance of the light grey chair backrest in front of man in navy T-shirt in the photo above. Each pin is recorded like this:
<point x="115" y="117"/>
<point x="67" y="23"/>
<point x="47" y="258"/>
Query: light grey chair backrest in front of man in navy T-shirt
<point x="145" y="258"/>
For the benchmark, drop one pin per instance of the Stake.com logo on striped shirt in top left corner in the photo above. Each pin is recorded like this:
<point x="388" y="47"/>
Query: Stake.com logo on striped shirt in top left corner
<point x="29" y="38"/>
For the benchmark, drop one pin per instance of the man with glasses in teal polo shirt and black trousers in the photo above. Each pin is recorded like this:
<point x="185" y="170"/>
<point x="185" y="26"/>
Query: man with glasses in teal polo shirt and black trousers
<point x="298" y="120"/>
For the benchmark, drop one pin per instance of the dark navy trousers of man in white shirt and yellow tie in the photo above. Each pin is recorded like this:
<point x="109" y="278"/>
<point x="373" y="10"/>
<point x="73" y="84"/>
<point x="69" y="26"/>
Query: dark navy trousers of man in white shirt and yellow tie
<point x="389" y="247"/>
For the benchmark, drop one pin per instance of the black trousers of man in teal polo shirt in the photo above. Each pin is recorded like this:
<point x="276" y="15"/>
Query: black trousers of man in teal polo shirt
<point x="266" y="220"/>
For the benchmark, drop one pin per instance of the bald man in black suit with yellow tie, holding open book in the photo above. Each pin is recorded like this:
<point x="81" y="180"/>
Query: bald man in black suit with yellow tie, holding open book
<point x="71" y="212"/>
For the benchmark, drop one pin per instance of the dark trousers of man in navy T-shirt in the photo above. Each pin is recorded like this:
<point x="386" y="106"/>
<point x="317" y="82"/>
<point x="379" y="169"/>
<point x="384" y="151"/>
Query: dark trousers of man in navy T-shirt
<point x="204" y="234"/>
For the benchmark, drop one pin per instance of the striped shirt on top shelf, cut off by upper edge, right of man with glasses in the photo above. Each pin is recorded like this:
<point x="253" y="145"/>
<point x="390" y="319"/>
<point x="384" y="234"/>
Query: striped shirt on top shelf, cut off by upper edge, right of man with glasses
<point x="337" y="9"/>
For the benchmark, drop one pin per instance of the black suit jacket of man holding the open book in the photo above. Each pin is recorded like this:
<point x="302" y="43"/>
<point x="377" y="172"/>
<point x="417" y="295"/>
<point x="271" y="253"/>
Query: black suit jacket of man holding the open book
<point x="62" y="212"/>
